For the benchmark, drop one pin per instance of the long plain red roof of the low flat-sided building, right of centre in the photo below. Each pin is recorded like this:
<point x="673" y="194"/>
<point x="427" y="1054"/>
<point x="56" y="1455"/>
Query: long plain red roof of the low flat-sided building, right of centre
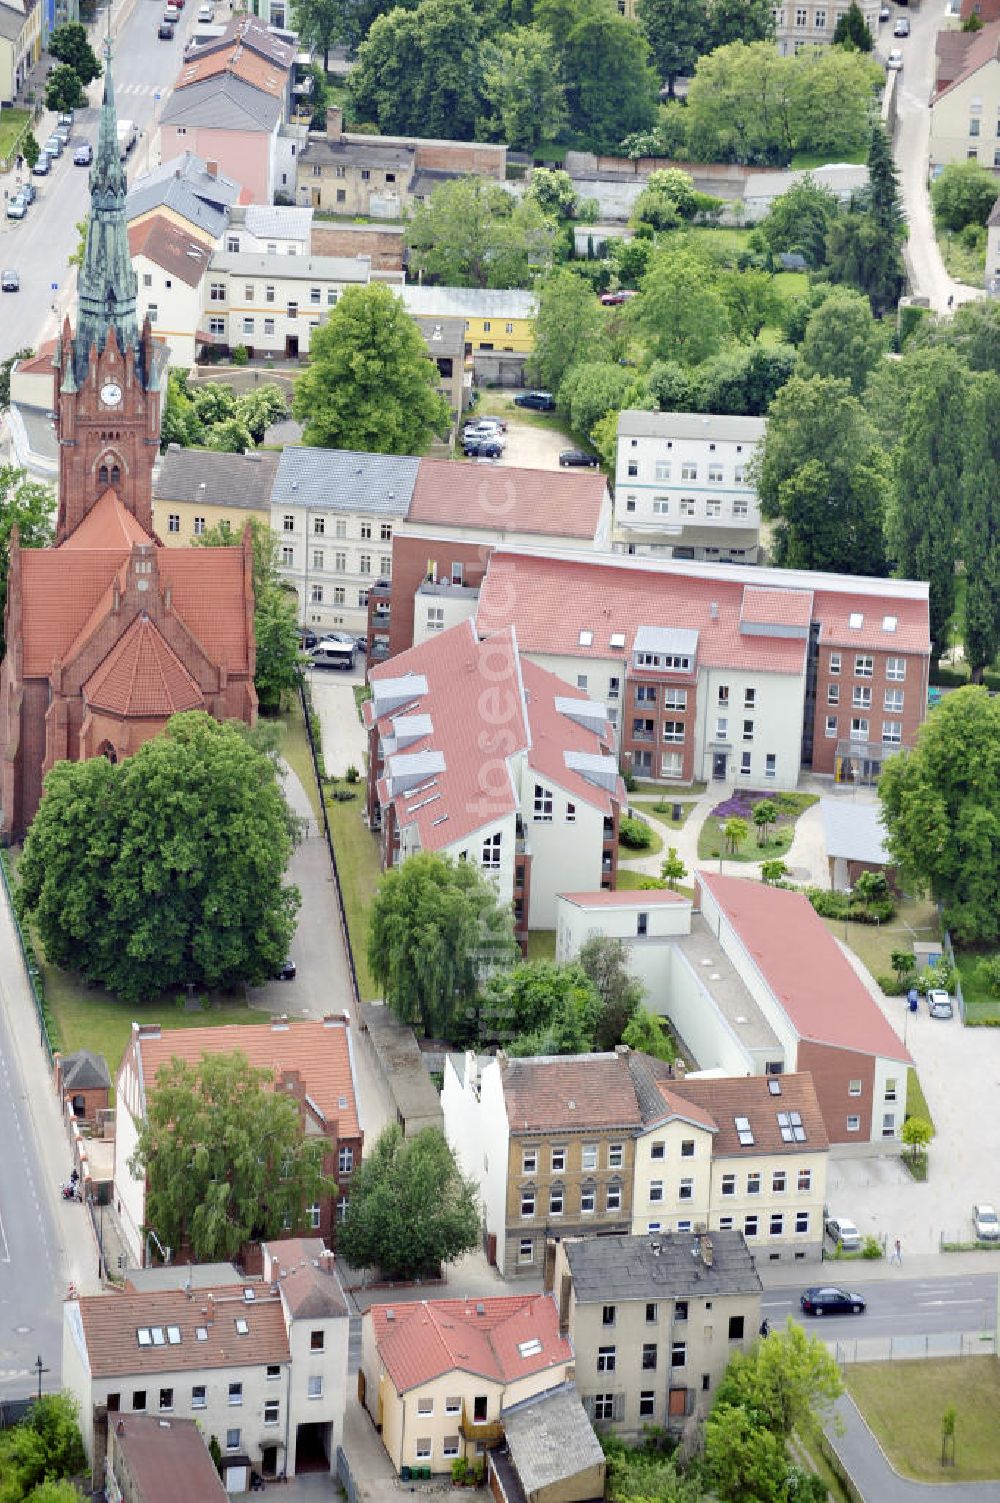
<point x="804" y="967"/>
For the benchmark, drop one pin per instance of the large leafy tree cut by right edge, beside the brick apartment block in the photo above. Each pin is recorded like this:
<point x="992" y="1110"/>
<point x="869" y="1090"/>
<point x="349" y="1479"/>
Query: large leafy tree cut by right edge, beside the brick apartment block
<point x="942" y="812"/>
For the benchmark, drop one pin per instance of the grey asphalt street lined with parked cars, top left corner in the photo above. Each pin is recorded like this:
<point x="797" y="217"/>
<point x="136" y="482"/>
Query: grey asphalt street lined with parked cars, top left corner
<point x="40" y="246"/>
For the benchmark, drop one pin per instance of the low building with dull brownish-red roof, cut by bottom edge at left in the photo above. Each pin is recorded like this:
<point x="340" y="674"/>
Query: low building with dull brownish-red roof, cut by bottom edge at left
<point x="160" y="1462"/>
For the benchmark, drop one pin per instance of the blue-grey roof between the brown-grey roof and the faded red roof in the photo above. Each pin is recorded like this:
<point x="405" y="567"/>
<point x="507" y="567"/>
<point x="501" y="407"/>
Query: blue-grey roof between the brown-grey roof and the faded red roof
<point x="342" y="480"/>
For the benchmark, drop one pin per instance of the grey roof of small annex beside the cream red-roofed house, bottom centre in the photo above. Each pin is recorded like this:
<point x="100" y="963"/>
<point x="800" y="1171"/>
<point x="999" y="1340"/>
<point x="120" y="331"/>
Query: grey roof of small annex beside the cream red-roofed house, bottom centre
<point x="551" y="1439"/>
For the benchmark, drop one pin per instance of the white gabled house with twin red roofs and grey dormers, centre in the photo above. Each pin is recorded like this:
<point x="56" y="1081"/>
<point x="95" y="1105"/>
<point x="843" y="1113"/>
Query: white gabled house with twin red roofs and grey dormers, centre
<point x="485" y="758"/>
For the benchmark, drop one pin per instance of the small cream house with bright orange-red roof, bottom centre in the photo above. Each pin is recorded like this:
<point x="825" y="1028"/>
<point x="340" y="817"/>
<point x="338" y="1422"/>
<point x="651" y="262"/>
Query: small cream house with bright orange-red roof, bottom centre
<point x="437" y="1376"/>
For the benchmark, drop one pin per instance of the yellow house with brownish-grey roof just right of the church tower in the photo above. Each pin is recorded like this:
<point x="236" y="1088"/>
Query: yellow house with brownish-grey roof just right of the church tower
<point x="195" y="491"/>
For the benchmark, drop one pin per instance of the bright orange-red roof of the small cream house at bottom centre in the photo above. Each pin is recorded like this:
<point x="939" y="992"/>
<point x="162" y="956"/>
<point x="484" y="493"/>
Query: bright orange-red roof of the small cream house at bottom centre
<point x="420" y="1343"/>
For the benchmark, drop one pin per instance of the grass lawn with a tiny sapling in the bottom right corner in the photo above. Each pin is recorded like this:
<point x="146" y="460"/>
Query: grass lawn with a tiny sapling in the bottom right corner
<point x="905" y="1403"/>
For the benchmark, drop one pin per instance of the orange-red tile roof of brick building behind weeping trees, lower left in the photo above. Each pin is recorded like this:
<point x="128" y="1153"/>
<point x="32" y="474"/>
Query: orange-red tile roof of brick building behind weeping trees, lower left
<point x="320" y="1051"/>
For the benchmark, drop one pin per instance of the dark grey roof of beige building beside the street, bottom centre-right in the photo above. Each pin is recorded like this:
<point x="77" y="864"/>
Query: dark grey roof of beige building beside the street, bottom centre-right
<point x="661" y="1266"/>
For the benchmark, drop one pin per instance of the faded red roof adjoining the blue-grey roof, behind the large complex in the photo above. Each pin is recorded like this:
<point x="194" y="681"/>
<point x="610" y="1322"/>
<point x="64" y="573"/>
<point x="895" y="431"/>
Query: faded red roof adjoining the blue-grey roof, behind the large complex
<point x="485" y="497"/>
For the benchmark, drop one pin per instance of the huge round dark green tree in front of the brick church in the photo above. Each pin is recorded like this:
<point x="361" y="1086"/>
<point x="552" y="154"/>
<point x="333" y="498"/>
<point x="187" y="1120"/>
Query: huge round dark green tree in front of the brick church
<point x="165" y="869"/>
